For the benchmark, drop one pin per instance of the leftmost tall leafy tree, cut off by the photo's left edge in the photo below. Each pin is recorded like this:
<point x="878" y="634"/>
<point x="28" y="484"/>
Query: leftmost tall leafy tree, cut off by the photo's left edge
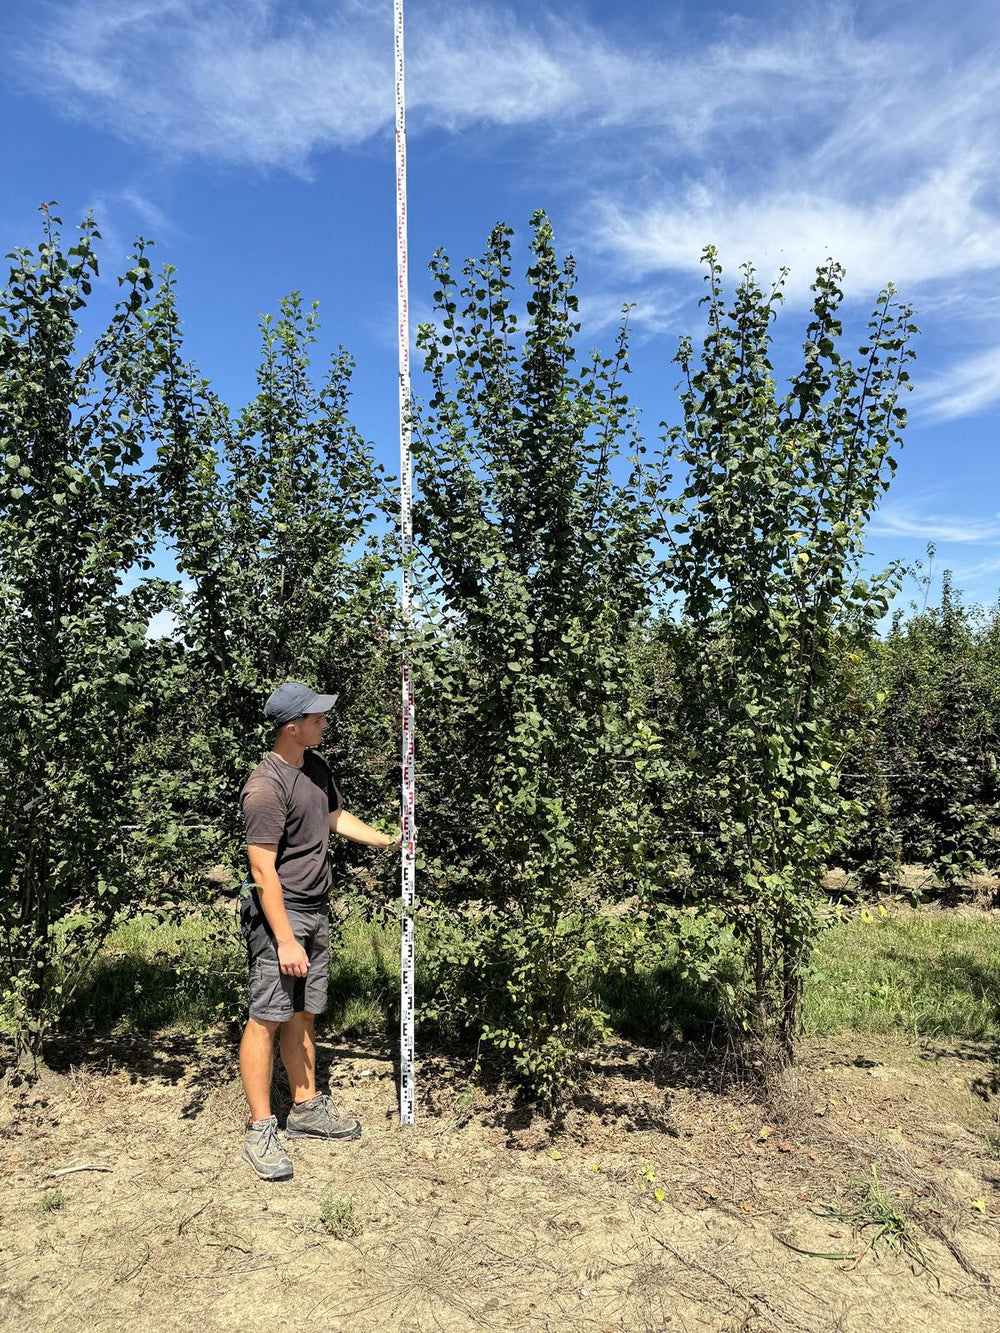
<point x="77" y="530"/>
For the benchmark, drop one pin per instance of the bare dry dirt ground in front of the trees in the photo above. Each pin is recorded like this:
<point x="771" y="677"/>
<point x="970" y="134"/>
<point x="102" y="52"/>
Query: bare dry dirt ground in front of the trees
<point x="661" y="1203"/>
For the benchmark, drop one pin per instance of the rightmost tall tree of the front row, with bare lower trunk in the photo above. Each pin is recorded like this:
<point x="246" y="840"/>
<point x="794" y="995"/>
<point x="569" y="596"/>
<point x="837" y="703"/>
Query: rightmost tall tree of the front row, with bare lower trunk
<point x="766" y="558"/>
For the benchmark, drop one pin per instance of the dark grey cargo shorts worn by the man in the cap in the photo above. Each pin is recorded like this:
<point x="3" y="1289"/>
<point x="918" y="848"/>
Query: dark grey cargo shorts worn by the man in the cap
<point x="275" y="998"/>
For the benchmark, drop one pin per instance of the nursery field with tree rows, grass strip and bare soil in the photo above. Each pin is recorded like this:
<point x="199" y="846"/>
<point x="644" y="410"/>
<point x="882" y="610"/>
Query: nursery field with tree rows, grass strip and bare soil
<point x="659" y="692"/>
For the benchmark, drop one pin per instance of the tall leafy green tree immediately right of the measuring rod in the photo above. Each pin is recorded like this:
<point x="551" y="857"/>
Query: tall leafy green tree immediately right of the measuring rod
<point x="538" y="571"/>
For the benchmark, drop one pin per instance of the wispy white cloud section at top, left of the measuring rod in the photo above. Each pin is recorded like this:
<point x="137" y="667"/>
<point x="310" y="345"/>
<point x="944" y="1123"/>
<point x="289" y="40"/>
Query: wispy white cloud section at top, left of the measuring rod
<point x="226" y="82"/>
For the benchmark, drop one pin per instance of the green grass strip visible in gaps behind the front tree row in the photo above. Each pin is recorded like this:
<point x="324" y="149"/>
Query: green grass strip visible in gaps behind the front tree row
<point x="926" y="976"/>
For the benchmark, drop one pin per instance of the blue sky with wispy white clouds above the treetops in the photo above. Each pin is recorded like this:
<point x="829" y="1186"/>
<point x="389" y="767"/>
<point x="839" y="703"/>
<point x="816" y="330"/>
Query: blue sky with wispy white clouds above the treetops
<point x="253" y="141"/>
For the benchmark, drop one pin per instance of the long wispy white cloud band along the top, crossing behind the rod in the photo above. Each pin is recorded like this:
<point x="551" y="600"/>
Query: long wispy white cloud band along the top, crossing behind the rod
<point x="269" y="83"/>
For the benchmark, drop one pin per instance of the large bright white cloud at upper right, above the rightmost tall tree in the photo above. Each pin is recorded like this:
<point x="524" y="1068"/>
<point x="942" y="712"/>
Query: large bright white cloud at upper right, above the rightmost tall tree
<point x="893" y="171"/>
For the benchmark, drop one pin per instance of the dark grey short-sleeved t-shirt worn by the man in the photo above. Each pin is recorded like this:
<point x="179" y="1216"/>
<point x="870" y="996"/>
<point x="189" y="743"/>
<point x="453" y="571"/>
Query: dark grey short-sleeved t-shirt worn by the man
<point x="291" y="807"/>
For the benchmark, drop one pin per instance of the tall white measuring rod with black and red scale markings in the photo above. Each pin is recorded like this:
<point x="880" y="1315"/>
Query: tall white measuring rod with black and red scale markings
<point x="407" y="1086"/>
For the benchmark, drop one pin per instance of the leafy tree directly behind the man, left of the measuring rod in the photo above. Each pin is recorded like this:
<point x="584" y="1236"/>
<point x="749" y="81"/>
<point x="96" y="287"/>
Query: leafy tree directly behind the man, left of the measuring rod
<point x="270" y="518"/>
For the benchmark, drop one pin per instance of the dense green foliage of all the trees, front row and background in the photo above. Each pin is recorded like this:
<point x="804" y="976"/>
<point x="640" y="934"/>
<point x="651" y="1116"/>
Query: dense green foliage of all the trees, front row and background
<point x="654" y="707"/>
